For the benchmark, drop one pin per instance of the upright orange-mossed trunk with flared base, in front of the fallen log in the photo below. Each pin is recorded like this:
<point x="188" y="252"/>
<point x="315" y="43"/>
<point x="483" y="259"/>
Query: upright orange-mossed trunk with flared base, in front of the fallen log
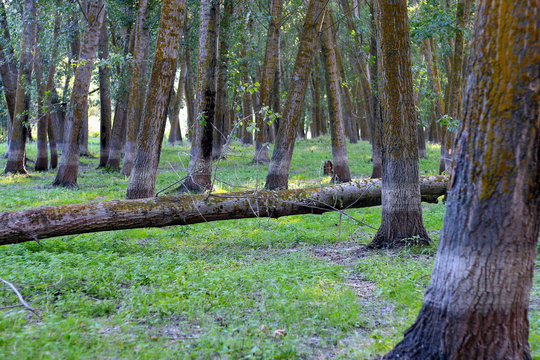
<point x="401" y="222"/>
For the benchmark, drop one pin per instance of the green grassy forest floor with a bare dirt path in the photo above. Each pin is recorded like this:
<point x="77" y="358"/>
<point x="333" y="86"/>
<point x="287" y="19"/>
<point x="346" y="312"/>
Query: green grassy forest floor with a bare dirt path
<point x="295" y="287"/>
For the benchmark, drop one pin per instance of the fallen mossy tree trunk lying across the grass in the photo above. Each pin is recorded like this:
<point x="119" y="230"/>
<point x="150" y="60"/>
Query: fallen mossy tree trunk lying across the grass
<point x="51" y="221"/>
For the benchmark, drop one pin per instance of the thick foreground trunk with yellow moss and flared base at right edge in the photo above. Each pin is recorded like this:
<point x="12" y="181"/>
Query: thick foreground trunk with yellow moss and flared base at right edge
<point x="477" y="302"/>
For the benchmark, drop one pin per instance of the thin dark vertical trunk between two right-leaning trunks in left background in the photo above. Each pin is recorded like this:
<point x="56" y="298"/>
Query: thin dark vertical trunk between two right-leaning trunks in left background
<point x="104" y="97"/>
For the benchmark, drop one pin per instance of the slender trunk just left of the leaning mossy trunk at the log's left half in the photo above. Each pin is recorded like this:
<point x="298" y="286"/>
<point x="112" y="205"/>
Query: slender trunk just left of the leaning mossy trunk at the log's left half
<point x="136" y="87"/>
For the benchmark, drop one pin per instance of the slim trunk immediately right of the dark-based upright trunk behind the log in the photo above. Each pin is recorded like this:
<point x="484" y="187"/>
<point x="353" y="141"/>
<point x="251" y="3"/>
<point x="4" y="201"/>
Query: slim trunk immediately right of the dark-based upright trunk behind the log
<point x="220" y="129"/>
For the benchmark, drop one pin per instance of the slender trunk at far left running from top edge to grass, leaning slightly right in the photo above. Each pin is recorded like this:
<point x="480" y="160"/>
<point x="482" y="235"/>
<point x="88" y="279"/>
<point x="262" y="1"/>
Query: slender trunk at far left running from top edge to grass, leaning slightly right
<point x="17" y="143"/>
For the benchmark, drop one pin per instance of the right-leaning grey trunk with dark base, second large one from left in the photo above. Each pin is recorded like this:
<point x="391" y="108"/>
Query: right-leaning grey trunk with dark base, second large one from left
<point x="69" y="164"/>
